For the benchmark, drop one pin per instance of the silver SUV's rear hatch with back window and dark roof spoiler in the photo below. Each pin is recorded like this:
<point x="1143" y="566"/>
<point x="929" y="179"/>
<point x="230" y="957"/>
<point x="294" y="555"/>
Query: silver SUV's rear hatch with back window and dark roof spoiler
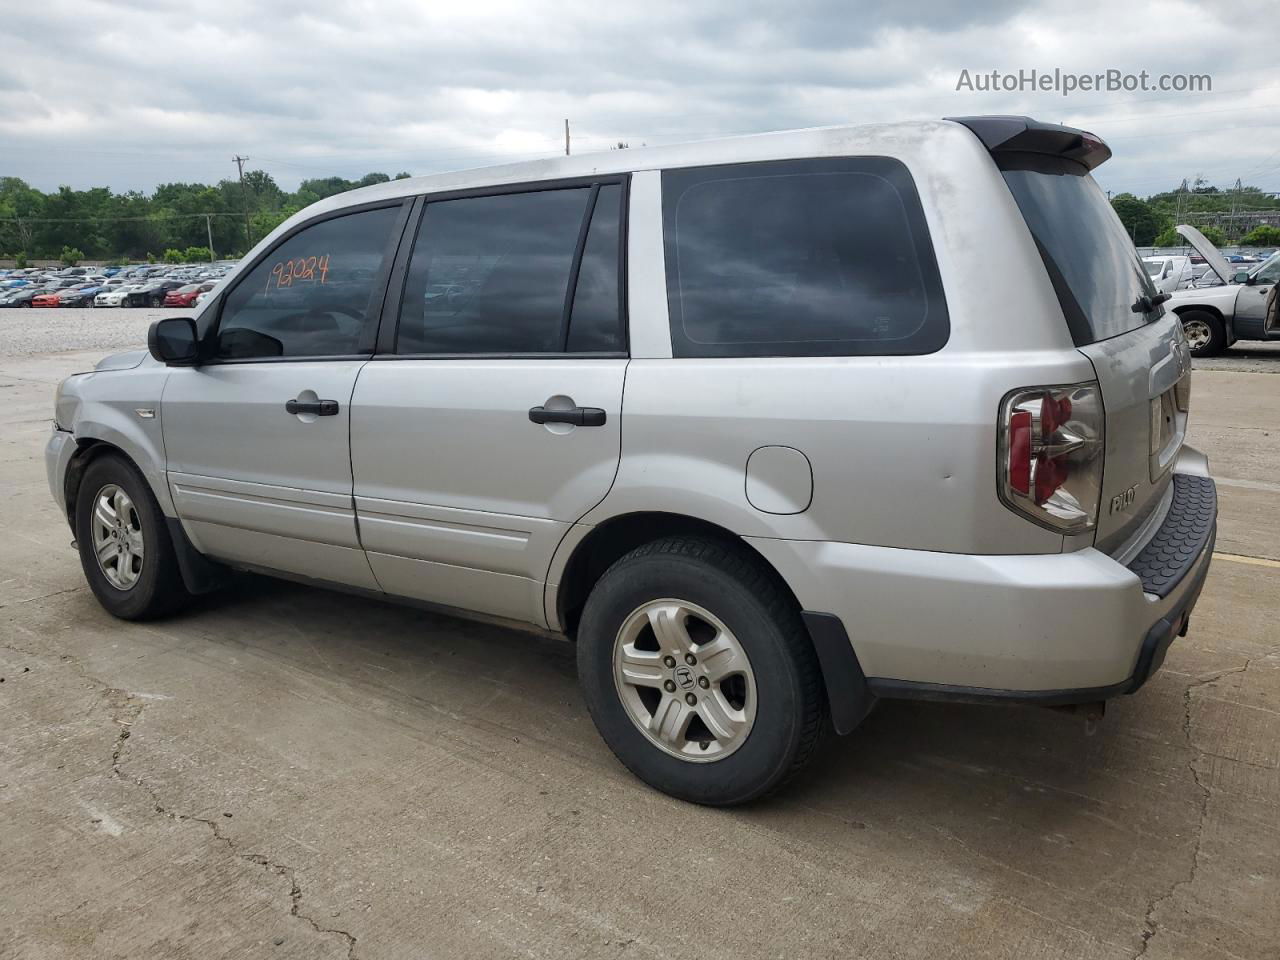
<point x="1110" y="307"/>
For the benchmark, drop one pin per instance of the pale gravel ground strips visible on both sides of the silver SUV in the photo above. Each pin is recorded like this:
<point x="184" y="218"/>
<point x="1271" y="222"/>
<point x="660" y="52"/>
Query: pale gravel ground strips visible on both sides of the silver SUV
<point x="26" y="333"/>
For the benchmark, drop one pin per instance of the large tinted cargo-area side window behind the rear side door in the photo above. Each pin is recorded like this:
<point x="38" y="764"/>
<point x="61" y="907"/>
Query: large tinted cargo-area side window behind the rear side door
<point x="804" y="258"/>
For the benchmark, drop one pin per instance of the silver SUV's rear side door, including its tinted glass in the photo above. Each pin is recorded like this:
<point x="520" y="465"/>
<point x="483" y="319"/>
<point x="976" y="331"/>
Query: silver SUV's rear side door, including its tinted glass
<point x="490" y="420"/>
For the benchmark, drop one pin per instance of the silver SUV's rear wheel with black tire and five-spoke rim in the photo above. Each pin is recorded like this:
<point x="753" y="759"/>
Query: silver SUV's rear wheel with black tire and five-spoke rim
<point x="700" y="674"/>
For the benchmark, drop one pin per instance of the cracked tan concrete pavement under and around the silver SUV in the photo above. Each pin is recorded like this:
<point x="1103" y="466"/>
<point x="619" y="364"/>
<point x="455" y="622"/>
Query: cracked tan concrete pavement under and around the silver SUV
<point x="290" y="774"/>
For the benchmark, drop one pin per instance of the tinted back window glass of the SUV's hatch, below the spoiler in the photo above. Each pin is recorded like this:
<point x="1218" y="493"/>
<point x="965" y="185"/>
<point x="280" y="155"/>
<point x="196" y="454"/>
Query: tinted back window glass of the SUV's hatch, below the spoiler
<point x="1096" y="272"/>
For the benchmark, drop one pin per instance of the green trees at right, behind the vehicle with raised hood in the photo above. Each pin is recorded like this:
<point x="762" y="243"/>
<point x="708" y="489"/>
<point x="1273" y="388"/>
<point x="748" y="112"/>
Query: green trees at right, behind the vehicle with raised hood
<point x="1151" y="221"/>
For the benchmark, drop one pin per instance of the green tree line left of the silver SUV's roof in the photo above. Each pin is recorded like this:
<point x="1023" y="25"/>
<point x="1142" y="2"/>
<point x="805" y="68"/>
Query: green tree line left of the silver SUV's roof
<point x="102" y="225"/>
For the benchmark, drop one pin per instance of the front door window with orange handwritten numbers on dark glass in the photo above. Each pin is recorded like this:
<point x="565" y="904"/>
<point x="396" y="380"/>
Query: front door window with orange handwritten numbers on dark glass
<point x="317" y="295"/>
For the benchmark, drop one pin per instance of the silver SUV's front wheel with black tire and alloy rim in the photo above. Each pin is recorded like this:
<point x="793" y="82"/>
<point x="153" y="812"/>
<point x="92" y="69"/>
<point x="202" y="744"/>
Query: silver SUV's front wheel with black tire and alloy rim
<point x="125" y="545"/>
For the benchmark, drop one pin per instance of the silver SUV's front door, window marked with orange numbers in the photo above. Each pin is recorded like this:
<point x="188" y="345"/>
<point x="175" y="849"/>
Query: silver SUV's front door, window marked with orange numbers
<point x="258" y="438"/>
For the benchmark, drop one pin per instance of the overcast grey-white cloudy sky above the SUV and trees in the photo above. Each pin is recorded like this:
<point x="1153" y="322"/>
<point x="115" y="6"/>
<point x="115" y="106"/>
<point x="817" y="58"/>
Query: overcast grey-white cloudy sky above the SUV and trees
<point x="134" y="94"/>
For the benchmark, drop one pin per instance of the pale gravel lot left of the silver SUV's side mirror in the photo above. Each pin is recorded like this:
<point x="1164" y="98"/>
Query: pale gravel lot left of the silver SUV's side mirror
<point x="25" y="333"/>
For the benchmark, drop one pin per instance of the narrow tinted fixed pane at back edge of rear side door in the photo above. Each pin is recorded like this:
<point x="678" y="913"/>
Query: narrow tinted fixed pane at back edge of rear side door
<point x="596" y="322"/>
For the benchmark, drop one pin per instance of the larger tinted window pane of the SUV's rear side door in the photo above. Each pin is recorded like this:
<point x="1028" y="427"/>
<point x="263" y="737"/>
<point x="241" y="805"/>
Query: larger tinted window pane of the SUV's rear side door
<point x="491" y="275"/>
